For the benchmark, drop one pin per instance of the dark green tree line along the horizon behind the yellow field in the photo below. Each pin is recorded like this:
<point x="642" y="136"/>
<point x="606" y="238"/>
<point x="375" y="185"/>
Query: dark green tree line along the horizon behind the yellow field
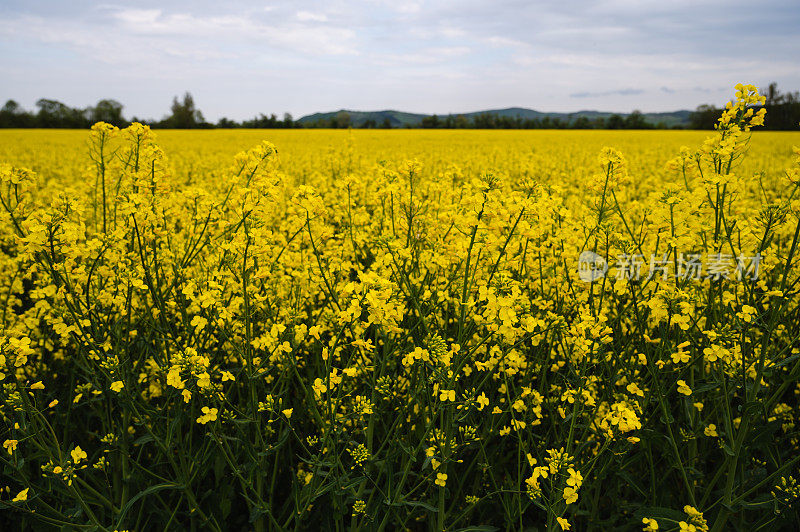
<point x="783" y="113"/>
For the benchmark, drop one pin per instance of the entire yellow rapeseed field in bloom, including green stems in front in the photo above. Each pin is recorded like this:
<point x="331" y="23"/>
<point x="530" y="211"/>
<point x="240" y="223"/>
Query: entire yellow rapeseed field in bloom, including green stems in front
<point x="389" y="330"/>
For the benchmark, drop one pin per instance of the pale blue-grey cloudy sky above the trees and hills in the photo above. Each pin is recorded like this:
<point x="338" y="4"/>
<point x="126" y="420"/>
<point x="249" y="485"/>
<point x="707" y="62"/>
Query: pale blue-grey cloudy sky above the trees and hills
<point x="243" y="58"/>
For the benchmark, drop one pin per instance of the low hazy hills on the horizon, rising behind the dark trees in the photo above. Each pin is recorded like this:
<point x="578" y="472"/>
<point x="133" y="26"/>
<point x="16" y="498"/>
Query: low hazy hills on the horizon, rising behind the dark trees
<point x="402" y="119"/>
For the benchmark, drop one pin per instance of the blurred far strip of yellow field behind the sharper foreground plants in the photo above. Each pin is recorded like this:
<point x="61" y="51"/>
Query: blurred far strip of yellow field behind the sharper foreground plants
<point x="542" y="154"/>
